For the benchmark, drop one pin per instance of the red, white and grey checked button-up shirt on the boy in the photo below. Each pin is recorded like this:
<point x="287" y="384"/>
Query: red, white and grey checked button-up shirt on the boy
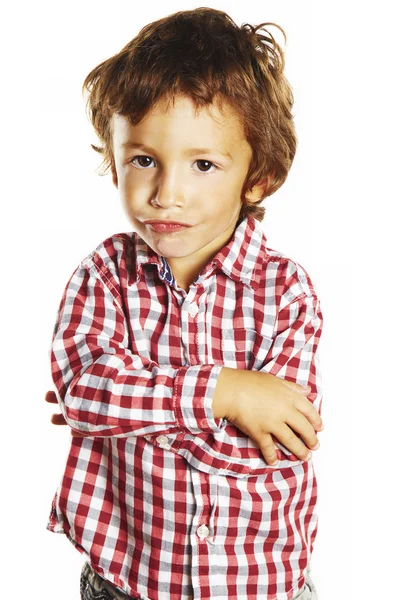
<point x="166" y="501"/>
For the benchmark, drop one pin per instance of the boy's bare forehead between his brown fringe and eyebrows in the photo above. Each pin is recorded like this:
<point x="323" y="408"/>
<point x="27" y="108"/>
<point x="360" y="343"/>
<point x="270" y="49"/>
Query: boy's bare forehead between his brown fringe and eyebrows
<point x="180" y="119"/>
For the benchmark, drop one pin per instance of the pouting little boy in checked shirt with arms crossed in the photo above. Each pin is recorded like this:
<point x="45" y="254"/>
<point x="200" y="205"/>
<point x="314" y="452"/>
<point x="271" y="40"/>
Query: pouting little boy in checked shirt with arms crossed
<point x="182" y="350"/>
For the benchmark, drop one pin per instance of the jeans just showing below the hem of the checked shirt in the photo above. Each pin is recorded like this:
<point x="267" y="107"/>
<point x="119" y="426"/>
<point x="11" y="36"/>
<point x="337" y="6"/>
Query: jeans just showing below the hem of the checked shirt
<point x="94" y="587"/>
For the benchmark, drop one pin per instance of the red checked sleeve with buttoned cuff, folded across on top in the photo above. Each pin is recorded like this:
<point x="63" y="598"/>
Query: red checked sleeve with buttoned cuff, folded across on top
<point x="103" y="388"/>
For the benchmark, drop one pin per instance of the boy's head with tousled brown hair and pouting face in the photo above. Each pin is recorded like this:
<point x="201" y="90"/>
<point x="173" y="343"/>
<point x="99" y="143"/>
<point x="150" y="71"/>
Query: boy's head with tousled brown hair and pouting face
<point x="193" y="80"/>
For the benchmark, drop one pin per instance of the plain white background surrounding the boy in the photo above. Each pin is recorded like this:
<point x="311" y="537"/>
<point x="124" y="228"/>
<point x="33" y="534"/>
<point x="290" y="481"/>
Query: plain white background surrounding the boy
<point x="335" y="215"/>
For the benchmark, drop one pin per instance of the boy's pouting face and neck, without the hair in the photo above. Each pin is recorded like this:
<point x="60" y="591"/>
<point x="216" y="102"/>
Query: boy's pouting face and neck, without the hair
<point x="168" y="180"/>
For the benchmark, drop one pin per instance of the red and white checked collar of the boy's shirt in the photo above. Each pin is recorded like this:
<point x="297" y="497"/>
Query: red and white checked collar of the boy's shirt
<point x="240" y="259"/>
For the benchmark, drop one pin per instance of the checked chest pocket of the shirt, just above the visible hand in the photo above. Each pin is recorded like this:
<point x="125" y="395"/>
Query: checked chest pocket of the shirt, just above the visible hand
<point x="244" y="348"/>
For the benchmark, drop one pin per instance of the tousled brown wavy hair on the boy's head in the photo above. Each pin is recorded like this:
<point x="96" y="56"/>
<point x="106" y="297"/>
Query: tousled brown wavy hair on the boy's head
<point x="205" y="56"/>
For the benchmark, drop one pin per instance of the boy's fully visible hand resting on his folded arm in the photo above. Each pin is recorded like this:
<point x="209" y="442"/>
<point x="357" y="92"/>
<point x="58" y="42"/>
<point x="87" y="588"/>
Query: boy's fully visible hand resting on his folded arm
<point x="266" y="405"/>
